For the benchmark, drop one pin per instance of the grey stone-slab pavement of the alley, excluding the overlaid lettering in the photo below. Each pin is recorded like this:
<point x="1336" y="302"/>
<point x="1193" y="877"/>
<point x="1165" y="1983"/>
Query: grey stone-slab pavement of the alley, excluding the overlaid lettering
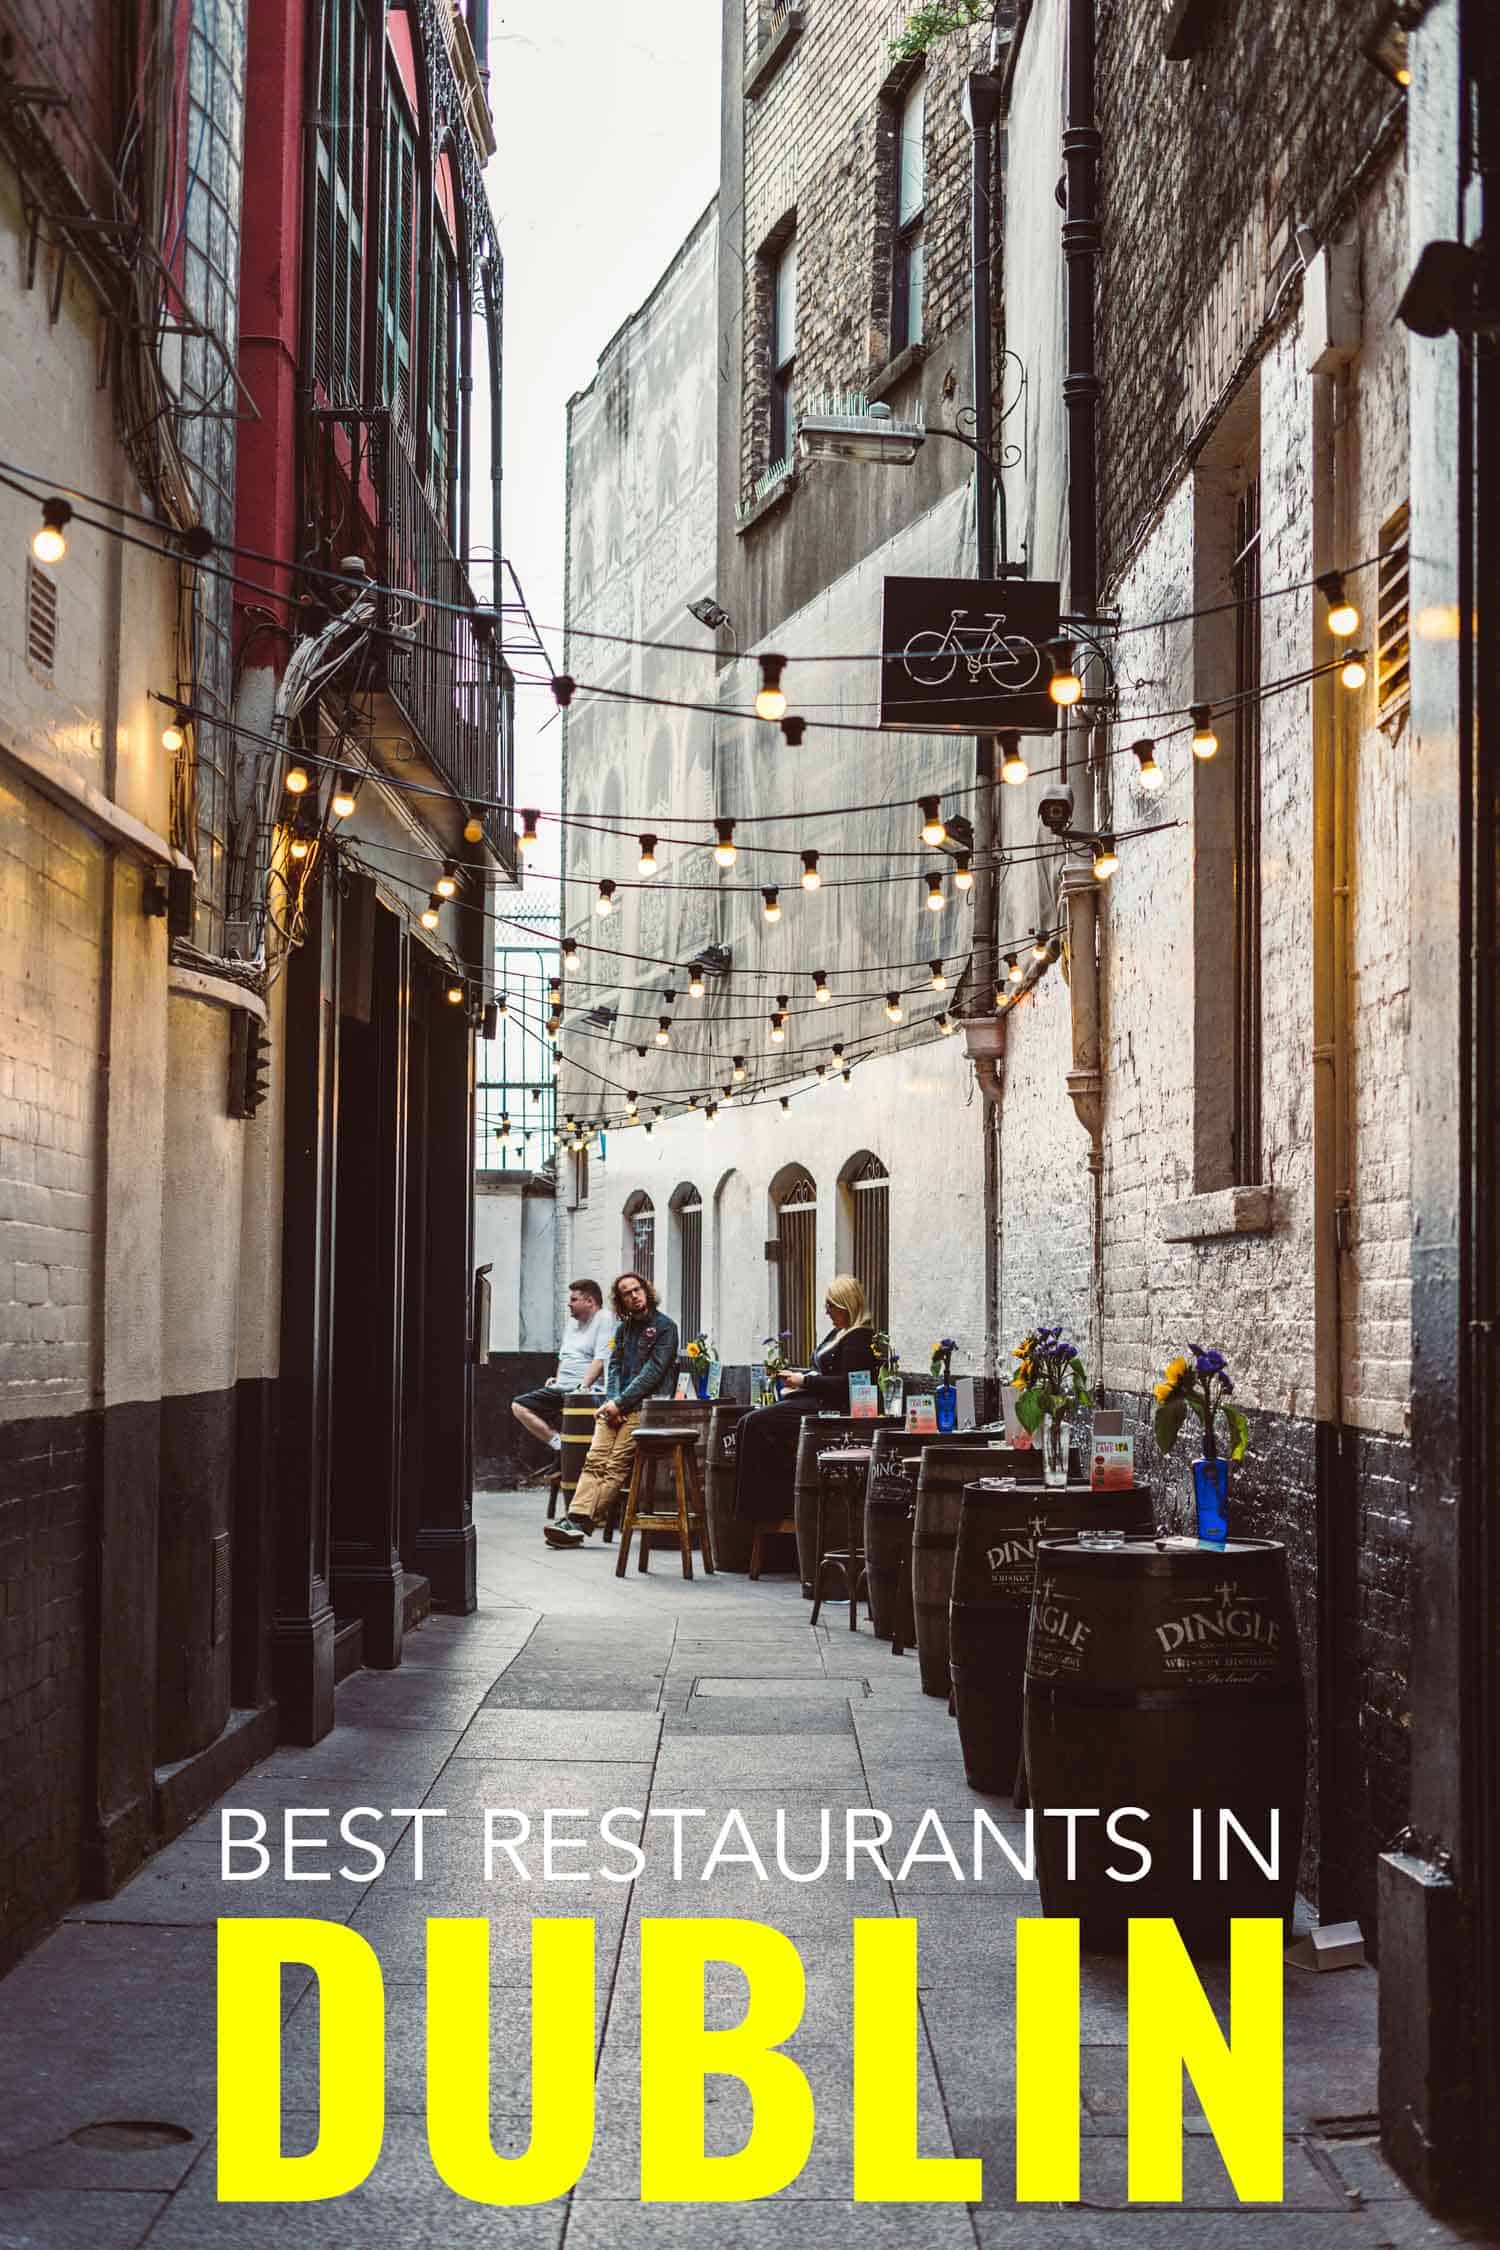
<point x="575" y="1689"/>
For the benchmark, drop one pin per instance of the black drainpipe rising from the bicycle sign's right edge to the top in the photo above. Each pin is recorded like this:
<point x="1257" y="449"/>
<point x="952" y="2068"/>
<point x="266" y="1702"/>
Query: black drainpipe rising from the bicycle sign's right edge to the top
<point x="1081" y="246"/>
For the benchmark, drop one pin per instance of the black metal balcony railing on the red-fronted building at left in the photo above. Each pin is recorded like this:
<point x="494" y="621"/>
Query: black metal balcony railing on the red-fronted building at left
<point x="437" y="654"/>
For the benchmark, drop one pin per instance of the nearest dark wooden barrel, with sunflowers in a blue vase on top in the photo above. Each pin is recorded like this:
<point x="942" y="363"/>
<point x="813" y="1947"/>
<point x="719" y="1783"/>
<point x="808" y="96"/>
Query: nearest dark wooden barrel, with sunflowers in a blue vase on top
<point x="1166" y="1680"/>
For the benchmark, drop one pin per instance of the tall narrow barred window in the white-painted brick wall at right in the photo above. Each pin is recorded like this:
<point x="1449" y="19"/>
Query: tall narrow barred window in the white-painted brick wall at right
<point x="1245" y="586"/>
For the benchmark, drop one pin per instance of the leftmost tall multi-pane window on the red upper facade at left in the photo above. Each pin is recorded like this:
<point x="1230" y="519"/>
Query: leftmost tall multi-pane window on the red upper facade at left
<point x="338" y="201"/>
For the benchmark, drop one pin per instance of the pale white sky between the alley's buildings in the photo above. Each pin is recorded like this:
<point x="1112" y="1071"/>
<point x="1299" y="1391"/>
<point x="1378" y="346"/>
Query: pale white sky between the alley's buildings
<point x="608" y="125"/>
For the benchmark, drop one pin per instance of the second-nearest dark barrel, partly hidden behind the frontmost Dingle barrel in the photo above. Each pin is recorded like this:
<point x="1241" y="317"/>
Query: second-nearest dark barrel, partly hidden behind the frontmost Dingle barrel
<point x="1000" y="1529"/>
